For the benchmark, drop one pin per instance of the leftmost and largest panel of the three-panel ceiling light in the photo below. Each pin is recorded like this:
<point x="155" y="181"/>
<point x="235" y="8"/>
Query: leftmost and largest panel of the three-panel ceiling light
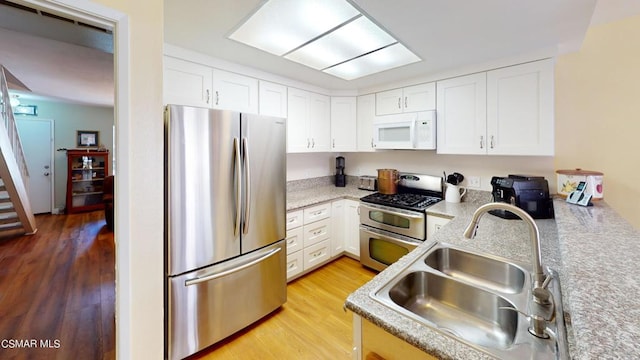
<point x="280" y="26"/>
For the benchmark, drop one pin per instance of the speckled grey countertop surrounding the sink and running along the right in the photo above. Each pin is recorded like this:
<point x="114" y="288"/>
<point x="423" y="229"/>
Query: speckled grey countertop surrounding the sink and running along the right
<point x="595" y="252"/>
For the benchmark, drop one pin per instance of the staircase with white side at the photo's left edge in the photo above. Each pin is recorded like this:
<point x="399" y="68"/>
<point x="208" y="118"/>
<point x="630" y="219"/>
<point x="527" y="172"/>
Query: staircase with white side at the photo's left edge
<point x="16" y="217"/>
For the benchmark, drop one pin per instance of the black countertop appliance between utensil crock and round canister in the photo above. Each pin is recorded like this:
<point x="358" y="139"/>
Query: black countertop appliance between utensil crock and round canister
<point x="530" y="193"/>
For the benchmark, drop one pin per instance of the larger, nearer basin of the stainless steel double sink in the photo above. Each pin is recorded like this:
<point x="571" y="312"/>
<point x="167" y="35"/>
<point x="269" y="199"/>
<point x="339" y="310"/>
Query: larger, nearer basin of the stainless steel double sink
<point x="463" y="310"/>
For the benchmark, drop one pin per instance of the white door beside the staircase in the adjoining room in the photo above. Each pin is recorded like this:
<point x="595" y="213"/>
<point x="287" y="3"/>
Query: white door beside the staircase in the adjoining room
<point x="37" y="143"/>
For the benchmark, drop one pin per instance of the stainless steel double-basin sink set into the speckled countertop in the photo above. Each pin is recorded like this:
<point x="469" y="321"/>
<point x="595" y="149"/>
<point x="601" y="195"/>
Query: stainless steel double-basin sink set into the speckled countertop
<point x="479" y="299"/>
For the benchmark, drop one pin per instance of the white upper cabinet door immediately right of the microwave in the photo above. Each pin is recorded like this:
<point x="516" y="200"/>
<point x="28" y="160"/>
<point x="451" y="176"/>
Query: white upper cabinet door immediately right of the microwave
<point x="462" y="115"/>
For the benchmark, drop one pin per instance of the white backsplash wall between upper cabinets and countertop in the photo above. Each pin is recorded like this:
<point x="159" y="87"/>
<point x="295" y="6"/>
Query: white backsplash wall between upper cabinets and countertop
<point x="303" y="166"/>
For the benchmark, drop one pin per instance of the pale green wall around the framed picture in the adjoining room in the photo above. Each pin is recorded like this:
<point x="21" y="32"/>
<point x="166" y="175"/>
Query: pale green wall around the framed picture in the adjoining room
<point x="67" y="119"/>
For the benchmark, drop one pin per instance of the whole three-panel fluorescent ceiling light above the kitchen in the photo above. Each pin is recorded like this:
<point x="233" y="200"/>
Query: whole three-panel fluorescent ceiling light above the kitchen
<point x="327" y="35"/>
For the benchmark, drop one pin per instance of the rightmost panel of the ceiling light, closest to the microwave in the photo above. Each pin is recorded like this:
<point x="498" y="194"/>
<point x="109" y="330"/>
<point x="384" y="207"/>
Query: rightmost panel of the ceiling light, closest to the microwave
<point x="384" y="59"/>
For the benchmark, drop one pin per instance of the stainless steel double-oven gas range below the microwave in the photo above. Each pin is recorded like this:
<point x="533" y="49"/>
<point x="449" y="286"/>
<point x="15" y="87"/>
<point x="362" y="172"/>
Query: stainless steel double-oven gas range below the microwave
<point x="393" y="225"/>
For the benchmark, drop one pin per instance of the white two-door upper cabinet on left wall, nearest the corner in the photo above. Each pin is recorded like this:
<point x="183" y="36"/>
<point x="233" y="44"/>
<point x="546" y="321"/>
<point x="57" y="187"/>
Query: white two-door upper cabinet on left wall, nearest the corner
<point x="308" y="121"/>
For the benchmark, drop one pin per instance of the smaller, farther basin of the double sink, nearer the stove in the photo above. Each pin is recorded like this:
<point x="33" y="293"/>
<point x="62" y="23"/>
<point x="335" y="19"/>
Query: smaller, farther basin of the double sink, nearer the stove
<point x="485" y="271"/>
